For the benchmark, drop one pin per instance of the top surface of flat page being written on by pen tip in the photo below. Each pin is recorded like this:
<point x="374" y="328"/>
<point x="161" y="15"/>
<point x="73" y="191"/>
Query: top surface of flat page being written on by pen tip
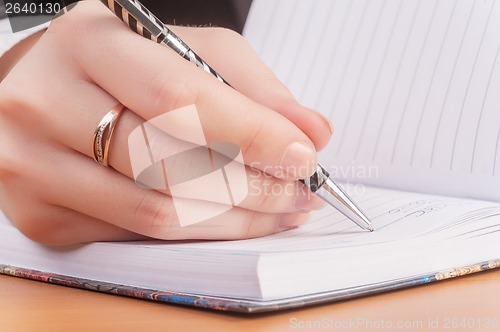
<point x="397" y="217"/>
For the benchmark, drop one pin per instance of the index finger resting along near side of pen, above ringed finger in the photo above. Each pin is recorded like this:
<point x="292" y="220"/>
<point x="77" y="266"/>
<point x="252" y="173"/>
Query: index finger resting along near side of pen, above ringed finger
<point x="151" y="80"/>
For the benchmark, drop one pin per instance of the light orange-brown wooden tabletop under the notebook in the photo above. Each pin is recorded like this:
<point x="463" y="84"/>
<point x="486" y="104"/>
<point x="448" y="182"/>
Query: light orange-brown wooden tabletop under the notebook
<point x="469" y="303"/>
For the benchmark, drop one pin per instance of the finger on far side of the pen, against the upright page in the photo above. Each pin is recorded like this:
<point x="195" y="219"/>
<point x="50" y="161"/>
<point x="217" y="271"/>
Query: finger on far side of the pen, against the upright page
<point x="238" y="63"/>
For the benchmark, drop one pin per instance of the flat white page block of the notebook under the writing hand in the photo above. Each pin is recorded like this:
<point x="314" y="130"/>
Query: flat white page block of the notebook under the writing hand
<point x="438" y="232"/>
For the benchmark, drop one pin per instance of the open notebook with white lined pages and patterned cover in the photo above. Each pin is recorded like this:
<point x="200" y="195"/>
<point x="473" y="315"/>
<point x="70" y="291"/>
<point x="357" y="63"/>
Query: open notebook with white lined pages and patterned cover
<point x="412" y="88"/>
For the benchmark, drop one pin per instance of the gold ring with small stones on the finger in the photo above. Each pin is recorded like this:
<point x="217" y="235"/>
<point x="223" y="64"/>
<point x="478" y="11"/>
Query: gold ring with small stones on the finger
<point x="103" y="132"/>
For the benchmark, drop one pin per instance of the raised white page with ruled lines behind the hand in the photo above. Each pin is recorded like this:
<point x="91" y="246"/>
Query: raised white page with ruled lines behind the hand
<point x="412" y="87"/>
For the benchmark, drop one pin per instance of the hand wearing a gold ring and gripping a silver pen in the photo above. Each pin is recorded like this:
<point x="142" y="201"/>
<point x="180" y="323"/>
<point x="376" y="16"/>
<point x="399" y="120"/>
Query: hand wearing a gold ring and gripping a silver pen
<point x="87" y="62"/>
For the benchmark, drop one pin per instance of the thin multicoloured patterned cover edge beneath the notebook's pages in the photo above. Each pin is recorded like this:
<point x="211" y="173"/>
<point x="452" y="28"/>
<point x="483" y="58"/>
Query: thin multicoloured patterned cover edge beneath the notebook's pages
<point x="242" y="305"/>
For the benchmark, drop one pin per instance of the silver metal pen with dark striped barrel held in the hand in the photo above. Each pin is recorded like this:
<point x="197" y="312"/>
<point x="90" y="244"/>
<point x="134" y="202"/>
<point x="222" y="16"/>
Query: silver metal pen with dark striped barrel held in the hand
<point x="142" y="21"/>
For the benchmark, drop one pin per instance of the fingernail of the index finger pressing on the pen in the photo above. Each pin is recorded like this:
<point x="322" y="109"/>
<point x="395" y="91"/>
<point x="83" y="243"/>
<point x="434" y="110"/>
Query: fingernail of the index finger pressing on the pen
<point x="299" y="160"/>
